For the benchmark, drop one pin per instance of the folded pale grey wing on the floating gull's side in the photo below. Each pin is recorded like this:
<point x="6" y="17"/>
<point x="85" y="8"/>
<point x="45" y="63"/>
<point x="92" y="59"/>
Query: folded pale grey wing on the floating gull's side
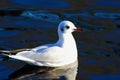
<point x="43" y="54"/>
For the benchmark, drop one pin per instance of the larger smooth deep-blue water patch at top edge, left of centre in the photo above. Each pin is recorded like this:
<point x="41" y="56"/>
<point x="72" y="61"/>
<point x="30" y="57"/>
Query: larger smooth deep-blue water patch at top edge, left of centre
<point x="42" y="3"/>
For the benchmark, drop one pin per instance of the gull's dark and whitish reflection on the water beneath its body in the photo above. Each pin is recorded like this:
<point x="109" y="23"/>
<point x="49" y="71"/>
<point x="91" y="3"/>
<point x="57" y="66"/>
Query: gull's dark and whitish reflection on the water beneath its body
<point x="29" y="72"/>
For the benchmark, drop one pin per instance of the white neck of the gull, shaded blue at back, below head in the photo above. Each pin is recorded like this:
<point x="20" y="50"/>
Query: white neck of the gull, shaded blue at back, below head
<point x="65" y="40"/>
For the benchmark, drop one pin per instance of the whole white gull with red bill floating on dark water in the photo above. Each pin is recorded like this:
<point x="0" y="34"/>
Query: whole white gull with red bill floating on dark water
<point x="60" y="53"/>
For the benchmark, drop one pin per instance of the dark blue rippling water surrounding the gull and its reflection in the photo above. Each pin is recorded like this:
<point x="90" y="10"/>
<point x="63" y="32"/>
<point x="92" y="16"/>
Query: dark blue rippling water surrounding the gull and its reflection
<point x="30" y="23"/>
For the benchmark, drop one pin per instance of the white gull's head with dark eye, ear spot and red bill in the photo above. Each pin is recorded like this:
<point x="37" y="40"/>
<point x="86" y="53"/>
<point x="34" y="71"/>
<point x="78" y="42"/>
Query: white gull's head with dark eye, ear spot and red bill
<point x="67" y="27"/>
